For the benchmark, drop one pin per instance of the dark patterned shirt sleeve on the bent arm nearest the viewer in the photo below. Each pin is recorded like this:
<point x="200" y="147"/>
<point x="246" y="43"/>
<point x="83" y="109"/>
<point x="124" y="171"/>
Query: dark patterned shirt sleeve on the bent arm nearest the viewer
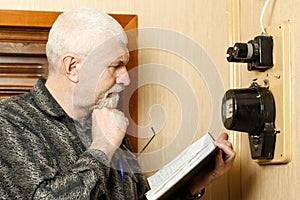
<point x="28" y="172"/>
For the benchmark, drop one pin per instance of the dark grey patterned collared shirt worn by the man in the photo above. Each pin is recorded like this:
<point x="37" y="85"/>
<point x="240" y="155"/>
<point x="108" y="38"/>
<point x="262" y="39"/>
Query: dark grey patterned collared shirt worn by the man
<point x="43" y="155"/>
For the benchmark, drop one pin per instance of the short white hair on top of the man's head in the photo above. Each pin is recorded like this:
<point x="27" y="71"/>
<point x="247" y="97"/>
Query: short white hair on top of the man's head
<point x="79" y="31"/>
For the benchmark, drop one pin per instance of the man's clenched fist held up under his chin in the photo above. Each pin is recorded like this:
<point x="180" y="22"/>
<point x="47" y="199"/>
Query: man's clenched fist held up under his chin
<point x="108" y="130"/>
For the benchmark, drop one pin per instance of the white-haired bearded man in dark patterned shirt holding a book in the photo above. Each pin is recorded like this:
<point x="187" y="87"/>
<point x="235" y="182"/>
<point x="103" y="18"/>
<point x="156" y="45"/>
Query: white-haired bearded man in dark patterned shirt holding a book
<point x="61" y="140"/>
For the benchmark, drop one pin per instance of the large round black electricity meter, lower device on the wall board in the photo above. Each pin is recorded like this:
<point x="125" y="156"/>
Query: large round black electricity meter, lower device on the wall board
<point x="252" y="110"/>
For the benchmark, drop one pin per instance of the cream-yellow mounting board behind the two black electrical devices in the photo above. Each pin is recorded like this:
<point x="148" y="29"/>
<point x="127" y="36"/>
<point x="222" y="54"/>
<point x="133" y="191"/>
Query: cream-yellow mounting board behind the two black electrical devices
<point x="279" y="80"/>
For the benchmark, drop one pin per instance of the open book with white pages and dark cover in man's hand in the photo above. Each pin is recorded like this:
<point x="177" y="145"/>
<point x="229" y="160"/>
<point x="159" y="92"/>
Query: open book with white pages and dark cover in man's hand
<point x="182" y="168"/>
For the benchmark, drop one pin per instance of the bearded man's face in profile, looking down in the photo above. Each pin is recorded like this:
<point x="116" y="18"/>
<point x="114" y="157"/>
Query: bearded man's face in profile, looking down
<point x="102" y="76"/>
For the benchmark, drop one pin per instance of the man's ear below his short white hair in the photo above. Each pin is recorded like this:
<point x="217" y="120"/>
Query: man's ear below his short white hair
<point x="71" y="67"/>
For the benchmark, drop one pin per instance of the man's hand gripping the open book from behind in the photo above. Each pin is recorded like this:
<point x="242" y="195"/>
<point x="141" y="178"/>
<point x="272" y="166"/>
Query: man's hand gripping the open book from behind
<point x="223" y="162"/>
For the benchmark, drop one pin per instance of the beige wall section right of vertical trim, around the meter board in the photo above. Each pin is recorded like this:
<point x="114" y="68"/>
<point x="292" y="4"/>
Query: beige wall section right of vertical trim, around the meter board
<point x="279" y="181"/>
